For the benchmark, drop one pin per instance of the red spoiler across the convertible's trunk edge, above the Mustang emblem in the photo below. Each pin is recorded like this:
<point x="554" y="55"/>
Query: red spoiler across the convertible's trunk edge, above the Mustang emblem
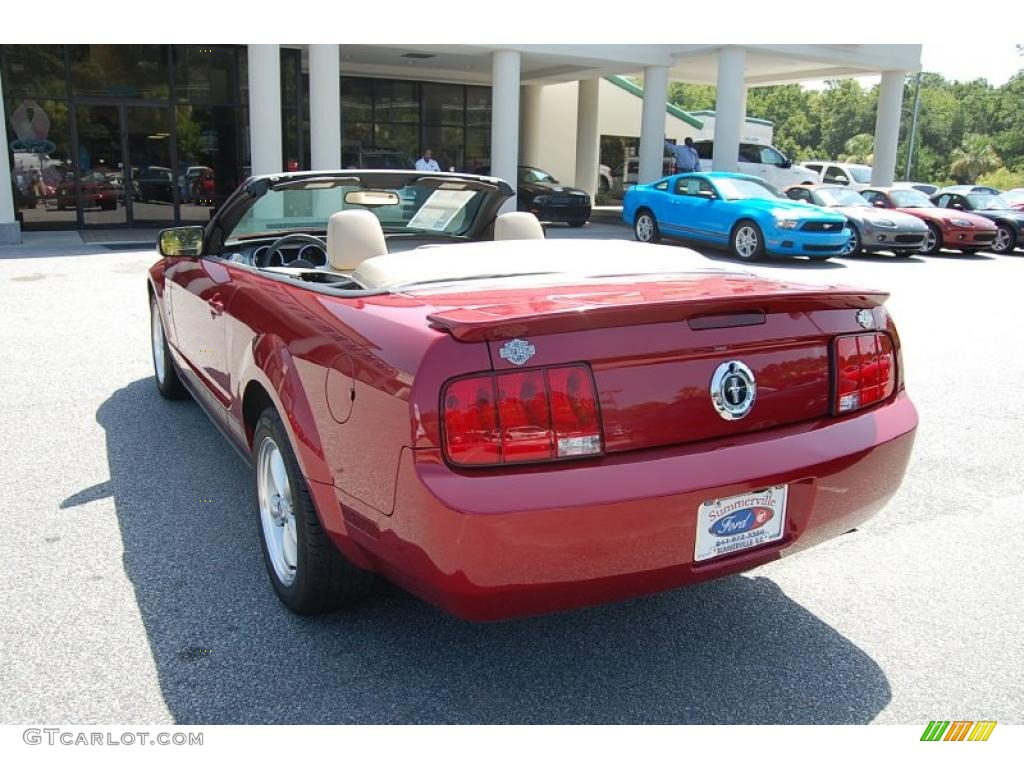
<point x="493" y="323"/>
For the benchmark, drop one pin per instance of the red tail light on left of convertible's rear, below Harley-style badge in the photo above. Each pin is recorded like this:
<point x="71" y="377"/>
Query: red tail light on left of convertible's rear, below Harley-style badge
<point x="522" y="416"/>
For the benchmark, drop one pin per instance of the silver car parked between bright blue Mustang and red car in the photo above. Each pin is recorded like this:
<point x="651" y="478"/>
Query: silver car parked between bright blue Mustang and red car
<point x="872" y="229"/>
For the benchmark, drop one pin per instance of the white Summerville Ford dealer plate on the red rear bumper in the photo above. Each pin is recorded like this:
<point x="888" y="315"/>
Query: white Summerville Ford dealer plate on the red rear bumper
<point x="739" y="523"/>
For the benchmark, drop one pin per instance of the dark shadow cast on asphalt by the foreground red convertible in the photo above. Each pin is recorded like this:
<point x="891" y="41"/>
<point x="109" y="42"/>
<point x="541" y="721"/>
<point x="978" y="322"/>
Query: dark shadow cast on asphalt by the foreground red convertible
<point x="737" y="651"/>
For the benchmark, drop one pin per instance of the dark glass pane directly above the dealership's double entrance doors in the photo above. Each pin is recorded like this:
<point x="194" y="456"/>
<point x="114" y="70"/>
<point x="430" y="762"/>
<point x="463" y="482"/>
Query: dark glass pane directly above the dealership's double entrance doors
<point x="120" y="71"/>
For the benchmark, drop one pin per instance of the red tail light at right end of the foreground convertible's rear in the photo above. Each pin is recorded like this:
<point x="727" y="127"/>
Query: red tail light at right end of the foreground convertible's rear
<point x="866" y="371"/>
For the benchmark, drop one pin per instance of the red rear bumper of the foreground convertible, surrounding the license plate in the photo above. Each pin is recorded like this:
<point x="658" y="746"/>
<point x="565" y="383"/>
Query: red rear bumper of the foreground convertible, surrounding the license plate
<point x="495" y="546"/>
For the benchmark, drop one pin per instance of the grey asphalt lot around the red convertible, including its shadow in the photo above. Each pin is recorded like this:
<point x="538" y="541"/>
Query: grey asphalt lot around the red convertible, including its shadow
<point x="135" y="591"/>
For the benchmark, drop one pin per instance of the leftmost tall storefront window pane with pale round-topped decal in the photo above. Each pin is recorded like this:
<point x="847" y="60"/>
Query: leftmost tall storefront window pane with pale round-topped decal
<point x="39" y="141"/>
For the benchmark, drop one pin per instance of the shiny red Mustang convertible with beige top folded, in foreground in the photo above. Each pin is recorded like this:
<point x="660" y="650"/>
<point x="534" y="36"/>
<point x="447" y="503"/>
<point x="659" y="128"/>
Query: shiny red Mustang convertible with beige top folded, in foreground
<point x="505" y="425"/>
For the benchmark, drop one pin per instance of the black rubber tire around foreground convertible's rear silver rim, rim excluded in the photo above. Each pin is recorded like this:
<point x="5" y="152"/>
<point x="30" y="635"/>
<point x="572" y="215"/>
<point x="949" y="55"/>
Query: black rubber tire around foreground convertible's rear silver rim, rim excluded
<point x="324" y="579"/>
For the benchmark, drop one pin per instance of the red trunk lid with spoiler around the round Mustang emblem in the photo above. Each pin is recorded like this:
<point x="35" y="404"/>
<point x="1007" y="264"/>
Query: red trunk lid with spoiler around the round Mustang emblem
<point x="655" y="348"/>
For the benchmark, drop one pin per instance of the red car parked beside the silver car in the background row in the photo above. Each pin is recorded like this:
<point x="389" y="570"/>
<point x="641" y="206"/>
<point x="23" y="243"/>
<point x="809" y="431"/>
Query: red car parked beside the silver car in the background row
<point x="967" y="233"/>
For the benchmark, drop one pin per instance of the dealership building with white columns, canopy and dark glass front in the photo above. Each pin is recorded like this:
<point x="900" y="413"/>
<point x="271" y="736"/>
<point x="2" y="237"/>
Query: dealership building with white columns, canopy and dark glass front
<point x="154" y="136"/>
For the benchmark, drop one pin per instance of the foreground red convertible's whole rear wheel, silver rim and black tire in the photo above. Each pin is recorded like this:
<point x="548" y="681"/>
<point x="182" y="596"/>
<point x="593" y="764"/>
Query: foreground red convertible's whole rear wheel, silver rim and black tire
<point x="308" y="572"/>
